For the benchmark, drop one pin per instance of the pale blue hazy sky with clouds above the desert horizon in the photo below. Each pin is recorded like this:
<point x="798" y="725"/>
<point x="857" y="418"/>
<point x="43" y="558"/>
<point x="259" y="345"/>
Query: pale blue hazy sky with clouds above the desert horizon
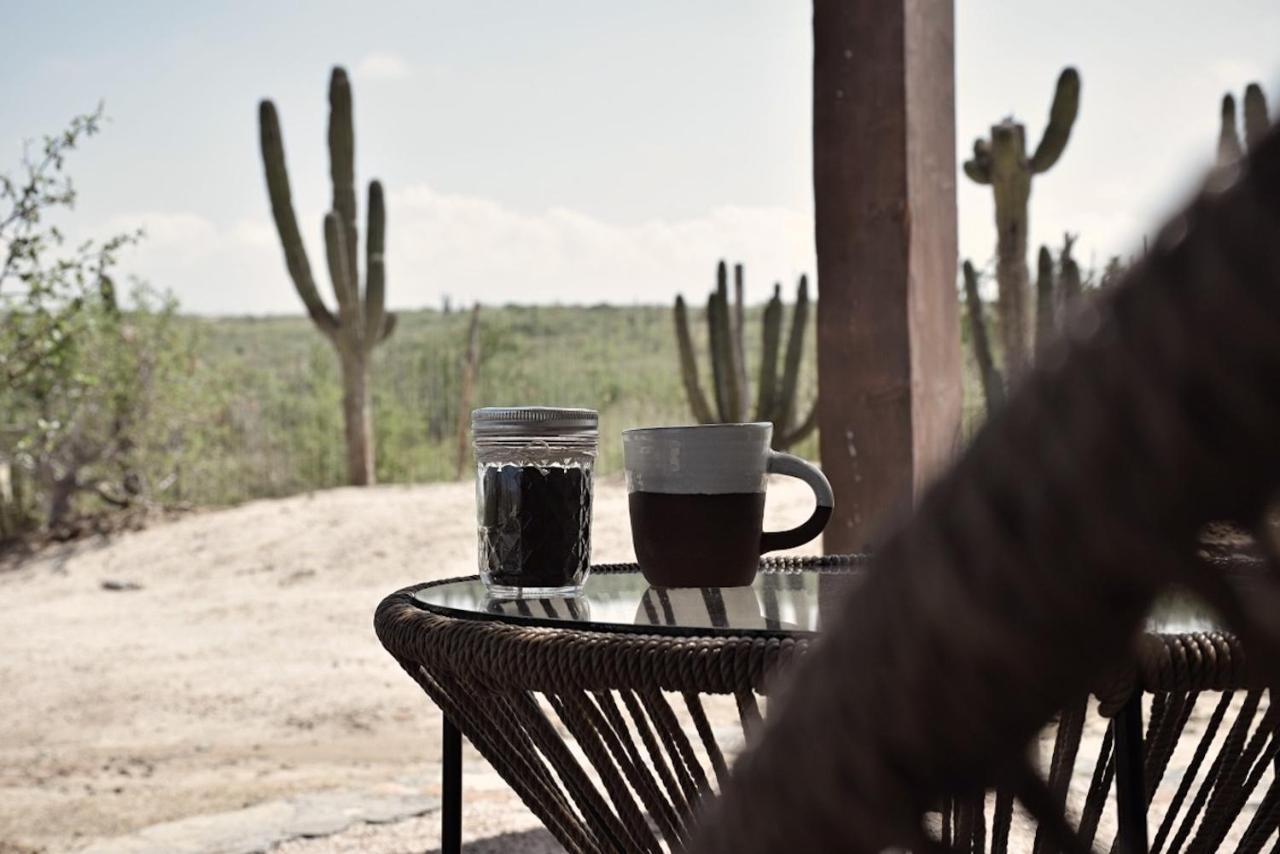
<point x="580" y="152"/>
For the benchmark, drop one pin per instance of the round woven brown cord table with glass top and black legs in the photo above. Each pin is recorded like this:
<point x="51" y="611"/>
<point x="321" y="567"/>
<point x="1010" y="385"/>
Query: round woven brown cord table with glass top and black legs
<point x="614" y="715"/>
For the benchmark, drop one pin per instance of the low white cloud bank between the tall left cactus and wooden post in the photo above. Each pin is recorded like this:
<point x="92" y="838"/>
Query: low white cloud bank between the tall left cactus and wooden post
<point x="474" y="249"/>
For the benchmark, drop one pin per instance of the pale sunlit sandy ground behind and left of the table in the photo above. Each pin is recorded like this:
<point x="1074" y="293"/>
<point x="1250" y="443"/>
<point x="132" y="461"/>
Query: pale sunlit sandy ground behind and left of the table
<point x="245" y="668"/>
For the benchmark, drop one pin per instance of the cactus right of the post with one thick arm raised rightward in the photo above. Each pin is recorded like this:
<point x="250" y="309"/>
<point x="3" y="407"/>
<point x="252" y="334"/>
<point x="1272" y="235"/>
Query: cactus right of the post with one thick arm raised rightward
<point x="1003" y="163"/>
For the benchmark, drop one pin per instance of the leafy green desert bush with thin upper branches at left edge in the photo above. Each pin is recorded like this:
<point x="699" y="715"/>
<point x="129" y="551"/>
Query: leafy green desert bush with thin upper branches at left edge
<point x="89" y="389"/>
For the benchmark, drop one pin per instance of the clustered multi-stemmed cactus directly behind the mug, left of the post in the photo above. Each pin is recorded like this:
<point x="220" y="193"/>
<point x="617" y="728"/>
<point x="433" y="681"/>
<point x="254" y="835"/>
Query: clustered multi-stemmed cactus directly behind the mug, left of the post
<point x="779" y="391"/>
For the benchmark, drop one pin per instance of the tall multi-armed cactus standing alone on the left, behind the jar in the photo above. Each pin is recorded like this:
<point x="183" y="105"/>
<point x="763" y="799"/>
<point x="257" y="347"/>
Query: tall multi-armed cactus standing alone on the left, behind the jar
<point x="362" y="322"/>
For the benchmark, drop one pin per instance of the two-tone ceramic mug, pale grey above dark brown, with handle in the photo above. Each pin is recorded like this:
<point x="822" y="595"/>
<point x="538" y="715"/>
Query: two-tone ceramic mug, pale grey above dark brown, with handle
<point x="697" y="500"/>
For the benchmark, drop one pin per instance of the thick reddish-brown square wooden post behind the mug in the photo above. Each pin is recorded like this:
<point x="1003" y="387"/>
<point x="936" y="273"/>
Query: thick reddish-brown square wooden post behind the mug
<point x="889" y="336"/>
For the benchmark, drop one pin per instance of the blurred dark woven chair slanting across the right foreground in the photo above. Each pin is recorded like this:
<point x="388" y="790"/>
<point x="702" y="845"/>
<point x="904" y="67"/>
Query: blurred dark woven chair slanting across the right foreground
<point x="1027" y="574"/>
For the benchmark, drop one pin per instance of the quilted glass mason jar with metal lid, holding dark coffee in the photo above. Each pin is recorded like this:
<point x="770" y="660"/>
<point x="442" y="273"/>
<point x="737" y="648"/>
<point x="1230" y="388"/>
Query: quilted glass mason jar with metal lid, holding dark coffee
<point x="534" y="499"/>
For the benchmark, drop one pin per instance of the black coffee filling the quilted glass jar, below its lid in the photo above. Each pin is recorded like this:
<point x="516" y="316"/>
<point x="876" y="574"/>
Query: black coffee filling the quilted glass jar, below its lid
<point x="536" y="526"/>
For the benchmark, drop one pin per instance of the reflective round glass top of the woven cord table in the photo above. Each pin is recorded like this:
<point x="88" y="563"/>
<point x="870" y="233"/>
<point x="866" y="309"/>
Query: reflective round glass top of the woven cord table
<point x="780" y="602"/>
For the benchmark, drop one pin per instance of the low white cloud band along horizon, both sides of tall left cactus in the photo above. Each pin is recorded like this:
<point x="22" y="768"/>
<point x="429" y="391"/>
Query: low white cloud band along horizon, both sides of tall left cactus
<point x="478" y="249"/>
